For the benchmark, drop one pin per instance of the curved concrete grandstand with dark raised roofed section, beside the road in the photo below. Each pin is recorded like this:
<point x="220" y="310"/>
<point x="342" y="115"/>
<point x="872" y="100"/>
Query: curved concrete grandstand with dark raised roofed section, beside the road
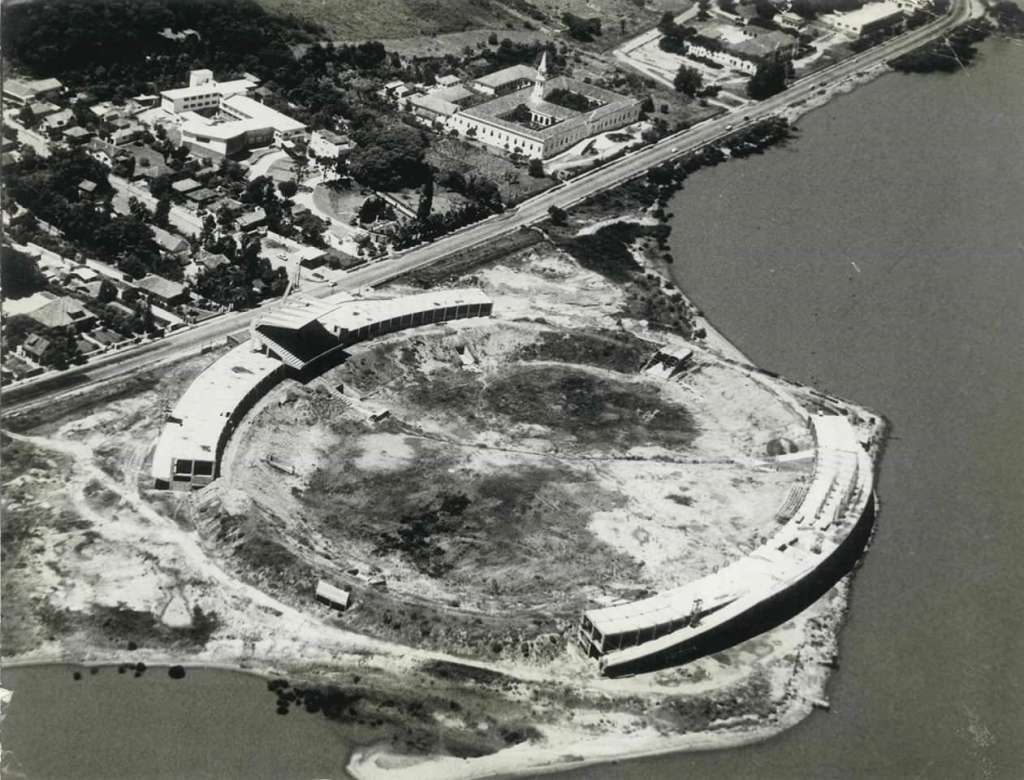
<point x="295" y="337"/>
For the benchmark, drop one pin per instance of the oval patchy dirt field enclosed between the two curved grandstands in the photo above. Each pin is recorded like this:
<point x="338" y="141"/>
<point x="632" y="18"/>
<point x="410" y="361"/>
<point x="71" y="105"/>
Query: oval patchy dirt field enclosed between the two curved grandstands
<point x="523" y="470"/>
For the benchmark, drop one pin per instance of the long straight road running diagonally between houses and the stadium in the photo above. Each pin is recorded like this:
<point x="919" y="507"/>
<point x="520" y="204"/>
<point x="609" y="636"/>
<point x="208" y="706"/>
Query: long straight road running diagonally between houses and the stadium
<point x="34" y="394"/>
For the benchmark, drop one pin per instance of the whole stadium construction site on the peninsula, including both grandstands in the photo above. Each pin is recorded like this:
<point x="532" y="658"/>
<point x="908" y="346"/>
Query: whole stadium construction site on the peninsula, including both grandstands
<point x="509" y="469"/>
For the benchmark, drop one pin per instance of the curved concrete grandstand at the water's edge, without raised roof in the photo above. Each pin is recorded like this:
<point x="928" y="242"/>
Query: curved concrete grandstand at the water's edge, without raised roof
<point x="823" y="528"/>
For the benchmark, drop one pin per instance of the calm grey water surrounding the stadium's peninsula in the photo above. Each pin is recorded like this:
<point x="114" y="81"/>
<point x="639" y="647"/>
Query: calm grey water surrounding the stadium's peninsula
<point x="881" y="257"/>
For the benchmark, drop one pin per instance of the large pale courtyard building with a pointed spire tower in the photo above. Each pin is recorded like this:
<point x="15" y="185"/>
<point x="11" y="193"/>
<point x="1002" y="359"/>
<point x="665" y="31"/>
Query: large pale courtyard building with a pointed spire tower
<point x="538" y="116"/>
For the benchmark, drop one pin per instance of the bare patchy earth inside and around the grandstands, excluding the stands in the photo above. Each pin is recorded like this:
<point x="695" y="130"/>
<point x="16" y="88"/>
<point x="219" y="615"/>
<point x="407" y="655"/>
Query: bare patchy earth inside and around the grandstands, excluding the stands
<point x="527" y="468"/>
